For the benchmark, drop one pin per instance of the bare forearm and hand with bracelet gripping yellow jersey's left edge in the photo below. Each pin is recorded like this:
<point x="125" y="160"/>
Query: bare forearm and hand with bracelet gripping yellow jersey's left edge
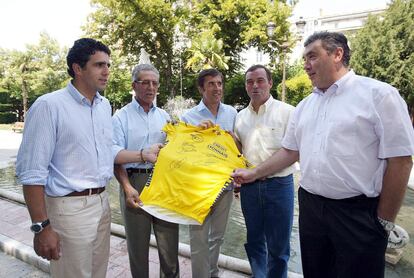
<point x="148" y="155"/>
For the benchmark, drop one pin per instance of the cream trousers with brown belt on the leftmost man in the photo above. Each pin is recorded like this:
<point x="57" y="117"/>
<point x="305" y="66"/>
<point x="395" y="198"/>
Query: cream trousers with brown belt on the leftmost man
<point x="84" y="226"/>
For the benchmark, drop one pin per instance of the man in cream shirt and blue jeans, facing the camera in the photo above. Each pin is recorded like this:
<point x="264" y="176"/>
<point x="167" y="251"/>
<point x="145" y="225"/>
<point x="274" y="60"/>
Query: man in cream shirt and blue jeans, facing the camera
<point x="267" y="204"/>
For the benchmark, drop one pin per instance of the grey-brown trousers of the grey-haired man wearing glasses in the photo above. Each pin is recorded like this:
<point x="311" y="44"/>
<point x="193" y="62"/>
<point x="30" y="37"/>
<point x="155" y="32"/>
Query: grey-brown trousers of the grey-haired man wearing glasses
<point x="138" y="225"/>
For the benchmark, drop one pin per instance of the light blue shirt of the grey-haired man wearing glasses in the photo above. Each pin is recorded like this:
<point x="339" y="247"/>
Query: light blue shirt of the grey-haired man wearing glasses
<point x="134" y="129"/>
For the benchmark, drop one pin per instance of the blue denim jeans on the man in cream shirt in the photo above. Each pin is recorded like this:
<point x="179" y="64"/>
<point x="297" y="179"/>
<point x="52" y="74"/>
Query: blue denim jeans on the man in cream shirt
<point x="267" y="206"/>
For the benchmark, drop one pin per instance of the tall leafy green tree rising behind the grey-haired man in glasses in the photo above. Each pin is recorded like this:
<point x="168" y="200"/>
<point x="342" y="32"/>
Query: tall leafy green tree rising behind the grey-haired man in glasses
<point x="129" y="25"/>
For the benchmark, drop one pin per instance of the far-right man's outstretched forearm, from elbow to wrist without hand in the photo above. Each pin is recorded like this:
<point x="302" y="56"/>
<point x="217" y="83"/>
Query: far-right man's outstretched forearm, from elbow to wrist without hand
<point x="277" y="162"/>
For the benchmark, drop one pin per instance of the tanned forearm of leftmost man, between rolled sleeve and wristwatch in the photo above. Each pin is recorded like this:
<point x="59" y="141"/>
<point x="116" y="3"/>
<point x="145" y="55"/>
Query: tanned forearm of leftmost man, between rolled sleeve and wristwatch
<point x="34" y="195"/>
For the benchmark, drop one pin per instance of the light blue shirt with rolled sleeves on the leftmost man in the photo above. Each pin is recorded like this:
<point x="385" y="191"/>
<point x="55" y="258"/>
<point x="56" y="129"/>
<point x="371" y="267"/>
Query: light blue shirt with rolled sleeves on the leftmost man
<point x="66" y="143"/>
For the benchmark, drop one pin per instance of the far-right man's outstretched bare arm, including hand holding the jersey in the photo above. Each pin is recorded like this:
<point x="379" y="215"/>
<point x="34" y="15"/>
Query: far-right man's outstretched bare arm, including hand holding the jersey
<point x="278" y="161"/>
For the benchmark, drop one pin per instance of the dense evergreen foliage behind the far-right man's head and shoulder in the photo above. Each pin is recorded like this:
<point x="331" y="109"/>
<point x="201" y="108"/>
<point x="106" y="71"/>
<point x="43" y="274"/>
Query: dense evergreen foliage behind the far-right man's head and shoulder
<point x="384" y="49"/>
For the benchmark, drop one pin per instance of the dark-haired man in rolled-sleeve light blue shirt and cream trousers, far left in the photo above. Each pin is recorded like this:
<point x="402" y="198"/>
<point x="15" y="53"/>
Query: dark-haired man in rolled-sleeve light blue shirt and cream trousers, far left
<point x="64" y="163"/>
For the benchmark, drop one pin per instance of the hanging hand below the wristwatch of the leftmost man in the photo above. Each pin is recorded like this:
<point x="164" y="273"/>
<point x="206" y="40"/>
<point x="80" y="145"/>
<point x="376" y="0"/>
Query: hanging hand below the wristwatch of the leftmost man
<point x="47" y="244"/>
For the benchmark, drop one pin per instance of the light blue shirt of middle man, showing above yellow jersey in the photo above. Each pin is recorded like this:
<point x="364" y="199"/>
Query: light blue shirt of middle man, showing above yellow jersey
<point x="225" y="117"/>
